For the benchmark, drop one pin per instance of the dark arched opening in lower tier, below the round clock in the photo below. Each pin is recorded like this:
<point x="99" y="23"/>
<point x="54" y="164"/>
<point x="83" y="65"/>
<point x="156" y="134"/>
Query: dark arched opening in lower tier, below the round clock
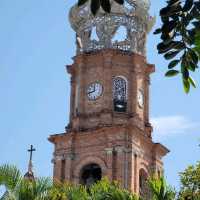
<point x="90" y="174"/>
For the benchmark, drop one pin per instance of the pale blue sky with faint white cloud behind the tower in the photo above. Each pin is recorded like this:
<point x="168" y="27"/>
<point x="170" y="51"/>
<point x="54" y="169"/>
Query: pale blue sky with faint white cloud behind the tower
<point x="36" y="42"/>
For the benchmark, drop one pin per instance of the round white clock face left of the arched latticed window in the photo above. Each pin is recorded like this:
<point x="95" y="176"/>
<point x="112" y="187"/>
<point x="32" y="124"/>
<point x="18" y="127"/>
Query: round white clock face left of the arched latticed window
<point x="94" y="91"/>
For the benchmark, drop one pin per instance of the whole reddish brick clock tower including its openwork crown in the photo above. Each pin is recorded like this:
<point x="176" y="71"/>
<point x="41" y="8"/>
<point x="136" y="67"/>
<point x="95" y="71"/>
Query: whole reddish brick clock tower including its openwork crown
<point x="109" y="133"/>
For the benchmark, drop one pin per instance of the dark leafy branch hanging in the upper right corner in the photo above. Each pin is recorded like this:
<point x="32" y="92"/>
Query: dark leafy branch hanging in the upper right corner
<point x="180" y="35"/>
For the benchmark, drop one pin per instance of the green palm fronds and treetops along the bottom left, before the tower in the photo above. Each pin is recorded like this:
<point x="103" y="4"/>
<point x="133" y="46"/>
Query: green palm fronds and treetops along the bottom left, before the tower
<point x="18" y="188"/>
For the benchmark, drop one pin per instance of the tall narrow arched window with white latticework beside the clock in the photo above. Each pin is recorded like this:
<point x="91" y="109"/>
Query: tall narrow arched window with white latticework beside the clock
<point x="120" y="94"/>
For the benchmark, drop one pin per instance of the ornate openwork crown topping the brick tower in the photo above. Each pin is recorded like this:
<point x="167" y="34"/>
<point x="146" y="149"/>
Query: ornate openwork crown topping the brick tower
<point x="124" y="28"/>
